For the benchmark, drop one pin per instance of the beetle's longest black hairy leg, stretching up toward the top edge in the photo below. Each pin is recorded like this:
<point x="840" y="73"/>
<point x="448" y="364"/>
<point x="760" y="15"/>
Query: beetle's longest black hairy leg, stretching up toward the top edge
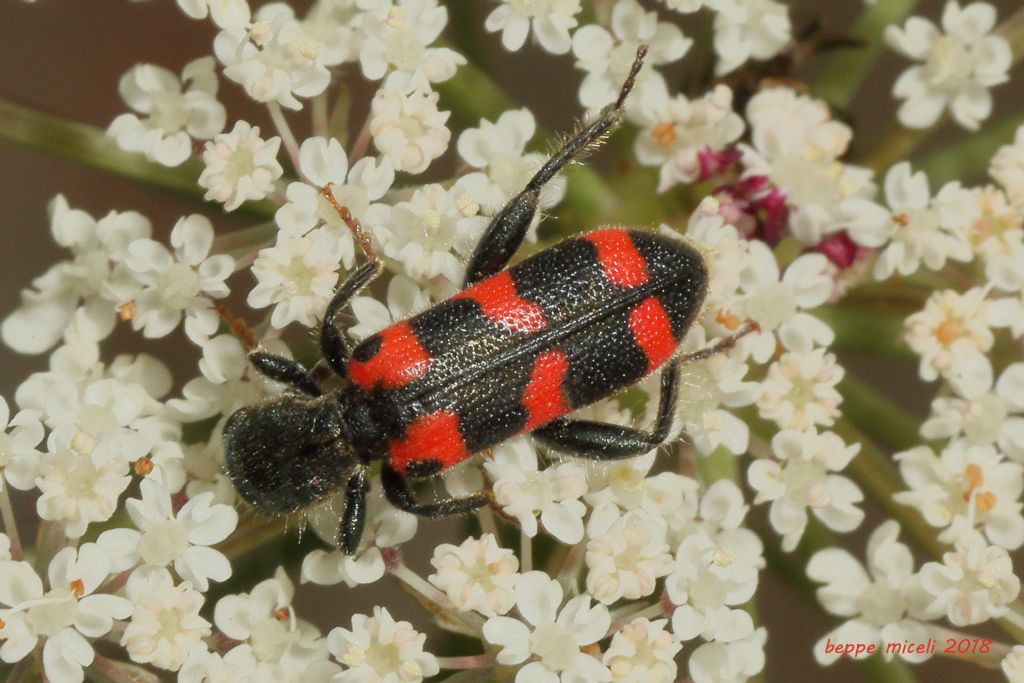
<point x="506" y="232"/>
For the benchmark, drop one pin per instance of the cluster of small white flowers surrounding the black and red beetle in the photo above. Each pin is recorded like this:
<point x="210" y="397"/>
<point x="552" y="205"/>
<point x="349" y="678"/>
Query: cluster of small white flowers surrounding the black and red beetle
<point x="651" y="560"/>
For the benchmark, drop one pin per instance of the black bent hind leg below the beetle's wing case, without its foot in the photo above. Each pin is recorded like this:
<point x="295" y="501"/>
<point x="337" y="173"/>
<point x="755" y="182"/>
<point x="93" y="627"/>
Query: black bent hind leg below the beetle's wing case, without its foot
<point x="600" y="441"/>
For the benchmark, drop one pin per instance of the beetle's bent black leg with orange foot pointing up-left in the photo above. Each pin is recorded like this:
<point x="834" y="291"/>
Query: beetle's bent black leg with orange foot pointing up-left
<point x="334" y="347"/>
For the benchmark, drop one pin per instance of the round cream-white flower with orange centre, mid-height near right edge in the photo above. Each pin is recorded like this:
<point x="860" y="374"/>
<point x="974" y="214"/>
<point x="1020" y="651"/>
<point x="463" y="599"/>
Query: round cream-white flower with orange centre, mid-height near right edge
<point x="952" y="329"/>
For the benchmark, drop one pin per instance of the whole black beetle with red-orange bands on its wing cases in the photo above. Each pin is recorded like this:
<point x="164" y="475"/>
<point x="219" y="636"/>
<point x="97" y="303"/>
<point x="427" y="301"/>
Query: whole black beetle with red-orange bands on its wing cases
<point x="511" y="354"/>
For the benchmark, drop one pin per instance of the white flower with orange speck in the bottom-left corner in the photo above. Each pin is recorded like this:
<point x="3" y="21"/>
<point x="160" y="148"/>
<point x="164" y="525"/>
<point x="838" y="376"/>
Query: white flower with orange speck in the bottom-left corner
<point x="65" y="616"/>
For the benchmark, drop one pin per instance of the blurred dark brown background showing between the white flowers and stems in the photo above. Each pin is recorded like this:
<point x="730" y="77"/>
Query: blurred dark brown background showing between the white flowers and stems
<point x="65" y="58"/>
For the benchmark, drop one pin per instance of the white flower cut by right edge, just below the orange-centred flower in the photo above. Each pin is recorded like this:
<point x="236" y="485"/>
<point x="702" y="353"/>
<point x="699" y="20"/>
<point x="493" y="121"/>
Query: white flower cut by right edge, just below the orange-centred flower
<point x="987" y="418"/>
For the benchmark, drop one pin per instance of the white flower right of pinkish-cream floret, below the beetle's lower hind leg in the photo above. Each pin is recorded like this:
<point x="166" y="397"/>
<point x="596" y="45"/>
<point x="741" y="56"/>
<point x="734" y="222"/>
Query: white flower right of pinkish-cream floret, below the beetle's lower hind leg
<point x="714" y="572"/>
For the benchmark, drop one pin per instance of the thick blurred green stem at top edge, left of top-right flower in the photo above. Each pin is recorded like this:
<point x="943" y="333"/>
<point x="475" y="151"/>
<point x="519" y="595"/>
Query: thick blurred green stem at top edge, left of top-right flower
<point x="843" y="72"/>
